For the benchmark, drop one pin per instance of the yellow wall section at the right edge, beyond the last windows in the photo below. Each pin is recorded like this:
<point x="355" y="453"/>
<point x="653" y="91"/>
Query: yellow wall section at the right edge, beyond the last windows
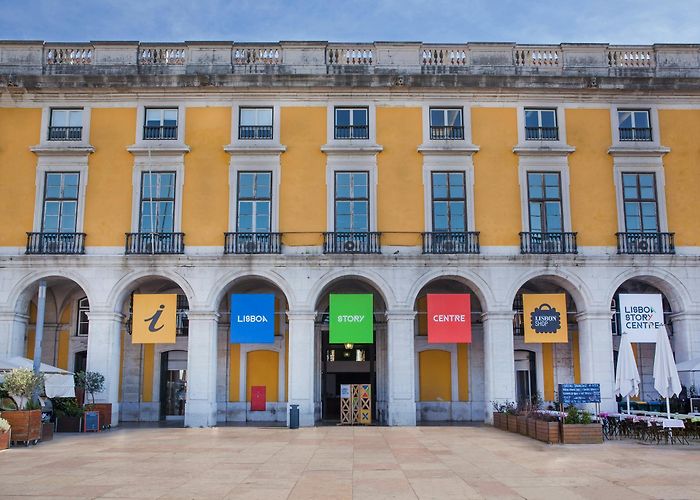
<point x="680" y="131"/>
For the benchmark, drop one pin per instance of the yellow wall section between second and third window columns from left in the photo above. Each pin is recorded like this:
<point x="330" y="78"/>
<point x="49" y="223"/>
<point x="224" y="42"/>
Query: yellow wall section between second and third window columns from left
<point x="206" y="194"/>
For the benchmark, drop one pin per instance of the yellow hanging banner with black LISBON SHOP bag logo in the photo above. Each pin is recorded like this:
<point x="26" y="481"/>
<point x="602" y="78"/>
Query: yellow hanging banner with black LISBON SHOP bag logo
<point x="544" y="318"/>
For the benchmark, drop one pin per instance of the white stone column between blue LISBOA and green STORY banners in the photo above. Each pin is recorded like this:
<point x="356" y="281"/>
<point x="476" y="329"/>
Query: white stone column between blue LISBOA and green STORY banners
<point x="301" y="365"/>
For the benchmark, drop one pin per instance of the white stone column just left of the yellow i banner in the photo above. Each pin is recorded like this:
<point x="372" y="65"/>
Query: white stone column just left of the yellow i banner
<point x="104" y="355"/>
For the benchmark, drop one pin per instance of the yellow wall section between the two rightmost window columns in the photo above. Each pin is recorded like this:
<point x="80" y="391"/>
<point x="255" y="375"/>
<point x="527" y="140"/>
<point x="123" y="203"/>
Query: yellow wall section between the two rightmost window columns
<point x="592" y="190"/>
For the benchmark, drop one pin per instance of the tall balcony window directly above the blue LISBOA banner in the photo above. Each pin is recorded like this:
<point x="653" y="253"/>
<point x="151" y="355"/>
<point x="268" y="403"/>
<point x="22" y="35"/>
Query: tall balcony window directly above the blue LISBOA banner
<point x="254" y="202"/>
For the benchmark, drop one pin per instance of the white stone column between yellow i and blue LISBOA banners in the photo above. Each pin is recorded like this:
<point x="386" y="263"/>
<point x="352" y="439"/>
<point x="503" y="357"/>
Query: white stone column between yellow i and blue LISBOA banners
<point x="200" y="407"/>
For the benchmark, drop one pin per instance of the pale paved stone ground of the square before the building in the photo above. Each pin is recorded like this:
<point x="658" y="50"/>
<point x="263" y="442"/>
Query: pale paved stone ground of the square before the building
<point x="341" y="462"/>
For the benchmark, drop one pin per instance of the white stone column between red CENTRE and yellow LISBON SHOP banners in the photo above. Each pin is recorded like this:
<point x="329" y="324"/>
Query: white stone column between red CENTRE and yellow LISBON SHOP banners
<point x="499" y="360"/>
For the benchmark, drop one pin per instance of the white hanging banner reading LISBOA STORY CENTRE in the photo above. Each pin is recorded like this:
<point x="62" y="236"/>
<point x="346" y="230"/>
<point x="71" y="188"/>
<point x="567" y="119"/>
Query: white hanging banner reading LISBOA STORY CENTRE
<point x="641" y="314"/>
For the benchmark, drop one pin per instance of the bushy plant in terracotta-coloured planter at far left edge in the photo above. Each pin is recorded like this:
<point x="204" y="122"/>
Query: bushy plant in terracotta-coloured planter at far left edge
<point x="22" y="384"/>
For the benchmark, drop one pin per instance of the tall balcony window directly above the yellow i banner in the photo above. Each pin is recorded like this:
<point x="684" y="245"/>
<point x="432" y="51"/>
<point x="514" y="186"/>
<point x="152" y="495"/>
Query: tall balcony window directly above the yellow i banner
<point x="157" y="202"/>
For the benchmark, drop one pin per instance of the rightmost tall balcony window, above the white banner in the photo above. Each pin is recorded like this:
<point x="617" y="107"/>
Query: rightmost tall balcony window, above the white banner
<point x="639" y="195"/>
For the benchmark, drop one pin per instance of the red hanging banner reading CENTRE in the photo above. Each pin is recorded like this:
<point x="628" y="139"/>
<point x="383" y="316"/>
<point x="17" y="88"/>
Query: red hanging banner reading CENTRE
<point x="449" y="318"/>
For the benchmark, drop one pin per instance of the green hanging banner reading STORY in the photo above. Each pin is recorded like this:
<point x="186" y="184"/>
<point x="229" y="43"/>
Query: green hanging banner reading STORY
<point x="351" y="319"/>
